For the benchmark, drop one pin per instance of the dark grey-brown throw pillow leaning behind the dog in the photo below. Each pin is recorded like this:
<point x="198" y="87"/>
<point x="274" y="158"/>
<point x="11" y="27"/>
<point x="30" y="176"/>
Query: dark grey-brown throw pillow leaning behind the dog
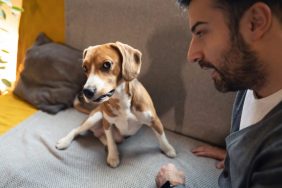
<point x="52" y="75"/>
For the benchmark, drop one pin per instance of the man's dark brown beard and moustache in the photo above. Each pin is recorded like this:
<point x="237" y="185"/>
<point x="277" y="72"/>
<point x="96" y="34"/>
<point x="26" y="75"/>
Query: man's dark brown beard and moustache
<point x="239" y="68"/>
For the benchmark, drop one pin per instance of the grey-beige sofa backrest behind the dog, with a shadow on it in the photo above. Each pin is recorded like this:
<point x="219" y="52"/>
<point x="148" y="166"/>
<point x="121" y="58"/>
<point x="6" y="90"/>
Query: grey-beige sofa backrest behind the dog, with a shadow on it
<point x="183" y="94"/>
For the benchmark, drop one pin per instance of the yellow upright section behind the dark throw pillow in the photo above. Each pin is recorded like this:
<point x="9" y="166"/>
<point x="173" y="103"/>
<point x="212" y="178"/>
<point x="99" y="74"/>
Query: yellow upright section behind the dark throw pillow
<point x="40" y="16"/>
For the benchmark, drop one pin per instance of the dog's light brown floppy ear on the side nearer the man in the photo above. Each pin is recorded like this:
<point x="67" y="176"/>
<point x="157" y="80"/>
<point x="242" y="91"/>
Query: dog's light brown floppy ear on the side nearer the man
<point x="131" y="61"/>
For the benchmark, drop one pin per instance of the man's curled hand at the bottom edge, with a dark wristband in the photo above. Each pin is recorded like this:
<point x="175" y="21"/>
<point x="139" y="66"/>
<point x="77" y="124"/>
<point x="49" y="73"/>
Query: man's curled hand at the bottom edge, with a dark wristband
<point x="170" y="173"/>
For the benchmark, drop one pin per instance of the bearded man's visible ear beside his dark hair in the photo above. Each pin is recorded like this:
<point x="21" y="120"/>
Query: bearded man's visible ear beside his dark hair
<point x="259" y="20"/>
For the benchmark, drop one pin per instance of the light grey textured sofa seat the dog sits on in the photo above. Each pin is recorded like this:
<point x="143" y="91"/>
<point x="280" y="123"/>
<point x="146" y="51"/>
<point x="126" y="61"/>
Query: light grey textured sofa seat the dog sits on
<point x="29" y="157"/>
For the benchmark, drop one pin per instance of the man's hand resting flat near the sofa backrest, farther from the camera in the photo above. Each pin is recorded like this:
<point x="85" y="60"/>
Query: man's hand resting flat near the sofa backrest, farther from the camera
<point x="211" y="152"/>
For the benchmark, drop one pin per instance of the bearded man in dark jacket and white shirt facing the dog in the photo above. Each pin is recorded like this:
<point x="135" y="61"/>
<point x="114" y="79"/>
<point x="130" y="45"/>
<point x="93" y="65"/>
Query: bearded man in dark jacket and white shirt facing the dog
<point x="241" y="41"/>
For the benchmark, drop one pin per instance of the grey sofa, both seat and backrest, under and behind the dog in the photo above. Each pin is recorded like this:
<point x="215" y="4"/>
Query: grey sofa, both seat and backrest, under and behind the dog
<point x="192" y="111"/>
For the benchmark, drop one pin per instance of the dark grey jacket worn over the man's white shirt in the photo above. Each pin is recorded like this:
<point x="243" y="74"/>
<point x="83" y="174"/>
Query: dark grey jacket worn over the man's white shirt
<point x="254" y="154"/>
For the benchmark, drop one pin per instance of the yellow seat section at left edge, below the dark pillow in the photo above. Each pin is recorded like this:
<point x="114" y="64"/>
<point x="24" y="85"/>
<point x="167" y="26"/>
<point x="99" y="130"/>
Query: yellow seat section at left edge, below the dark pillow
<point x="12" y="111"/>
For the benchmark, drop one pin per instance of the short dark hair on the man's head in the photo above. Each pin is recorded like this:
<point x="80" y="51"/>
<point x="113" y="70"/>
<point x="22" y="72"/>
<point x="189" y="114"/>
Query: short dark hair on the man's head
<point x="234" y="9"/>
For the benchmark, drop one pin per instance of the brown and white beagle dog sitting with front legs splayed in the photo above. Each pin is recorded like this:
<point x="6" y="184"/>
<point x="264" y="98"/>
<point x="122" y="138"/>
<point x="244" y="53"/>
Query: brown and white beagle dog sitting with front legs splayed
<point x="124" y="105"/>
